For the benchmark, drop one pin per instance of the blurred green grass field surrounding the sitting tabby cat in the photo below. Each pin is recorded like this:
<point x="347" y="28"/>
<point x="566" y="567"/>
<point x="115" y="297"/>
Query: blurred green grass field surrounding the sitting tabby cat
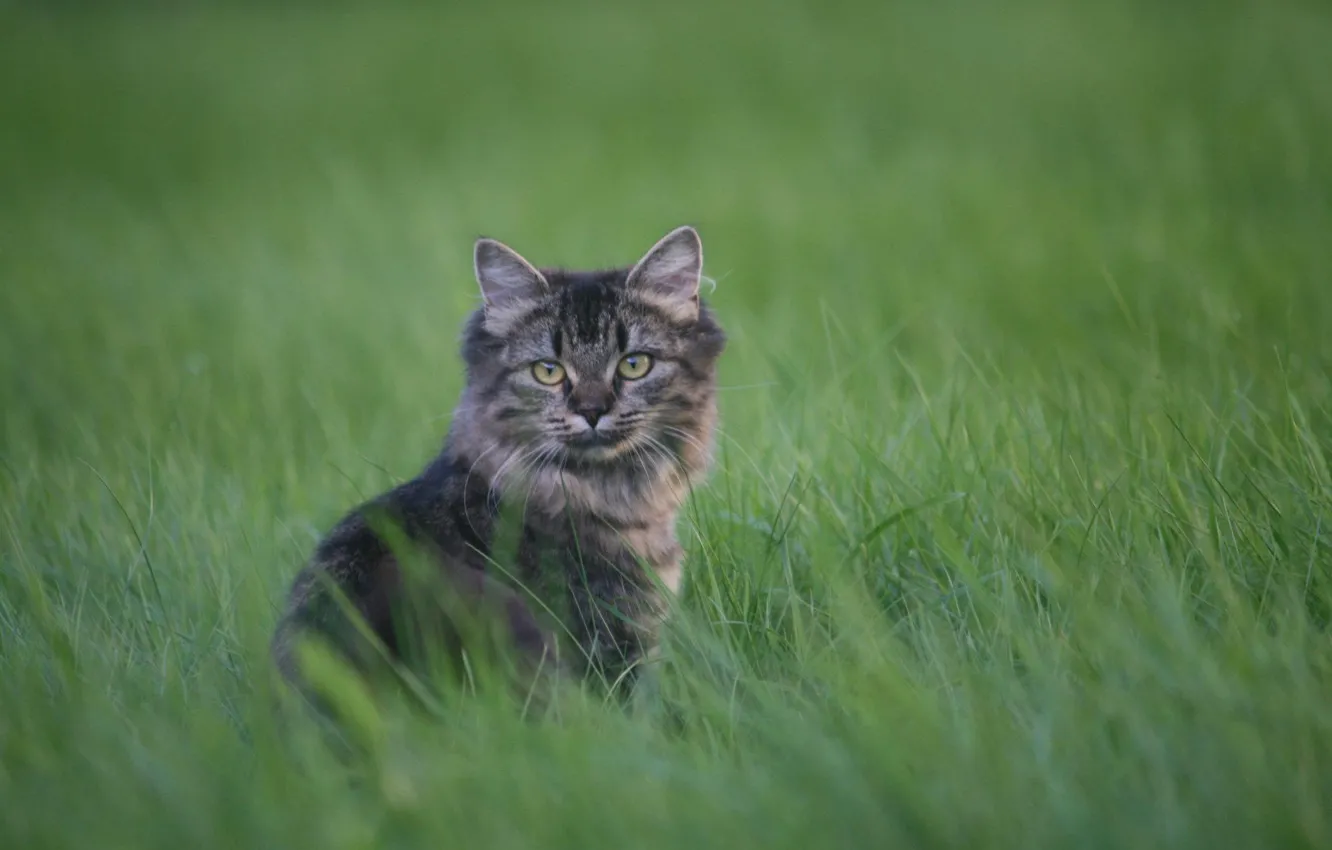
<point x="1021" y="532"/>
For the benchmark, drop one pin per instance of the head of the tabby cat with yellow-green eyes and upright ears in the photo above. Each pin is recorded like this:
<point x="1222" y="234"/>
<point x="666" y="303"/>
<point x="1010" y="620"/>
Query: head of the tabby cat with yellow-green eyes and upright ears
<point x="595" y="370"/>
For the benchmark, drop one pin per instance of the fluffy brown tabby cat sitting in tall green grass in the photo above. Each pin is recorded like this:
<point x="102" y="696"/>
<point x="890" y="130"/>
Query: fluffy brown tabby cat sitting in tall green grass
<point x="588" y="415"/>
